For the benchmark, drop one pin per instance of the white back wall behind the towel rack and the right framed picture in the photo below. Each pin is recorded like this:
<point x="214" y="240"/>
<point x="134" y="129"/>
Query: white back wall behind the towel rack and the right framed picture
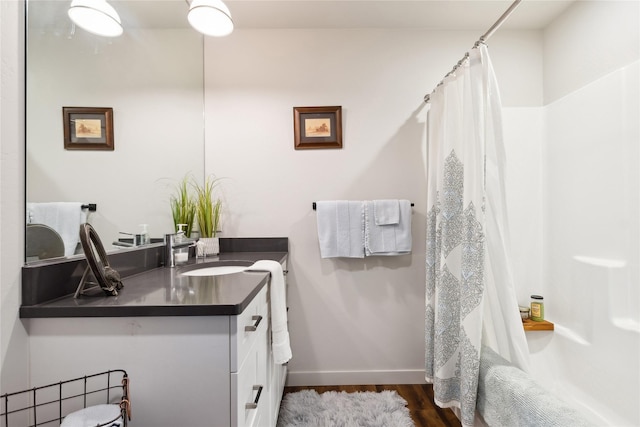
<point x="352" y="321"/>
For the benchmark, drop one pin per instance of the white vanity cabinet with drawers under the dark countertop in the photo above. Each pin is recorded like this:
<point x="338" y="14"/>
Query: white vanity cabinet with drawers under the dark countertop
<point x="187" y="371"/>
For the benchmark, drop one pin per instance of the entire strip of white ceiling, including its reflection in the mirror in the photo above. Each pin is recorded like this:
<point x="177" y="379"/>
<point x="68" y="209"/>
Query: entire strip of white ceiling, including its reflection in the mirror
<point x="426" y="14"/>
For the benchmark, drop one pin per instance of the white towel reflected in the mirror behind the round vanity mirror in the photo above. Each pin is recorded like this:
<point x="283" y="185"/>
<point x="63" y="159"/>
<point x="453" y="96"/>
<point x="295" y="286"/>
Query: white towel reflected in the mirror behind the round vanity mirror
<point x="64" y="217"/>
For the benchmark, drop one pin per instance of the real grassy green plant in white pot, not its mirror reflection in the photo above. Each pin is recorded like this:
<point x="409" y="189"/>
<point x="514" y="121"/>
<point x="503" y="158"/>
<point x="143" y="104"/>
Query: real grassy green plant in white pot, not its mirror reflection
<point x="208" y="209"/>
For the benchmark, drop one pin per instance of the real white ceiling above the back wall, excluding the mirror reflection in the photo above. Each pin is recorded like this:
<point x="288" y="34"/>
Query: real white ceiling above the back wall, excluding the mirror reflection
<point x="429" y="14"/>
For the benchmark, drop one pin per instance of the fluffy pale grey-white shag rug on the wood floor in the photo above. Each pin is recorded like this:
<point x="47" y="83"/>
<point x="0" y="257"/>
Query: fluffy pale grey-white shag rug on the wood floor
<point x="307" y="408"/>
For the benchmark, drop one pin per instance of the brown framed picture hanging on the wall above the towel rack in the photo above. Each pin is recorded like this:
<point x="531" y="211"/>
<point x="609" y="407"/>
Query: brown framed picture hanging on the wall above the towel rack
<point x="317" y="127"/>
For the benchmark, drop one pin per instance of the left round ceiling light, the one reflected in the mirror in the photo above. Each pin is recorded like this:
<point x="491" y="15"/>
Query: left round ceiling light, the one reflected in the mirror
<point x="95" y="16"/>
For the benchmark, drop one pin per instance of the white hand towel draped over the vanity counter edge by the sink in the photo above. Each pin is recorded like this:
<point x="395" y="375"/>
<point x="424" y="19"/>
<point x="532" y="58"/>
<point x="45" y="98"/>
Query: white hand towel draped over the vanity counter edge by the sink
<point x="279" y="329"/>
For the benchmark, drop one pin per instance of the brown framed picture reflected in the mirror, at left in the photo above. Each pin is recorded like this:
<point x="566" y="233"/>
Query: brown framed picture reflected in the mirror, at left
<point x="88" y="128"/>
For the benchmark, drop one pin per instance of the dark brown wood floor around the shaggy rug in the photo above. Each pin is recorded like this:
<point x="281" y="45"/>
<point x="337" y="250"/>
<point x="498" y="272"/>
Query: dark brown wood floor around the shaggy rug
<point x="419" y="399"/>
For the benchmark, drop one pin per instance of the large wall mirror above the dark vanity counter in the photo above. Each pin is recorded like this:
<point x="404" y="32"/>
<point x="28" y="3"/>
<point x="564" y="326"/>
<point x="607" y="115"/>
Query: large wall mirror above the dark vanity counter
<point x="151" y="77"/>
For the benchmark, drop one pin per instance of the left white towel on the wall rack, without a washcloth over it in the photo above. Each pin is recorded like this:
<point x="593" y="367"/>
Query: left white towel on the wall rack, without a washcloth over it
<point x="340" y="228"/>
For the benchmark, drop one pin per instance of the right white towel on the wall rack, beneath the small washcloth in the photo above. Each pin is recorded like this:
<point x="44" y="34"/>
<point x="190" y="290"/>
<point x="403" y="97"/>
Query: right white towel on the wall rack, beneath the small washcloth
<point x="392" y="239"/>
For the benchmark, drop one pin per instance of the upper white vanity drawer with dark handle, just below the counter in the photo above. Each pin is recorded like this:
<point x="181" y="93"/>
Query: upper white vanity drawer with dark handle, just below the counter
<point x="246" y="327"/>
